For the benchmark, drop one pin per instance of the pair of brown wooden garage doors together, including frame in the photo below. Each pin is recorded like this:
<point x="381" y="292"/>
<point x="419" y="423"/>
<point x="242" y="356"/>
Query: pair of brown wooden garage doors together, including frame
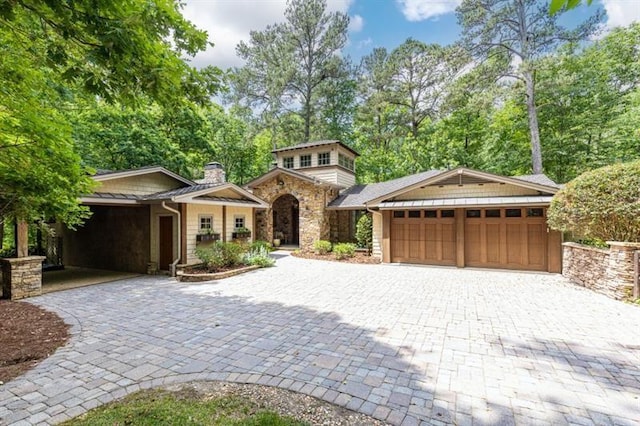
<point x="494" y="237"/>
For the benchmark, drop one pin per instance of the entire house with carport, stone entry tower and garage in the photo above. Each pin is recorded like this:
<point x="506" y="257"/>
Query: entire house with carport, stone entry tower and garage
<point x="153" y="219"/>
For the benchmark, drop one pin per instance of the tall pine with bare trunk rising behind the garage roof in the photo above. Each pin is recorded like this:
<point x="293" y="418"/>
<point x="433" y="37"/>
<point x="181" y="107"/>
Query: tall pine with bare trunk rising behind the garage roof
<point x="524" y="31"/>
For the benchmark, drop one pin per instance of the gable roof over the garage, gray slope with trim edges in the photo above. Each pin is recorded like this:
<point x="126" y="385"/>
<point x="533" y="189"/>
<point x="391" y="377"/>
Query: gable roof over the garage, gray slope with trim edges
<point x="373" y="195"/>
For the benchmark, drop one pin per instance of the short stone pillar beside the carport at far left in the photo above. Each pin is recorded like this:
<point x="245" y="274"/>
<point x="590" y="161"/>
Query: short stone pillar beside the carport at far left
<point x="22" y="277"/>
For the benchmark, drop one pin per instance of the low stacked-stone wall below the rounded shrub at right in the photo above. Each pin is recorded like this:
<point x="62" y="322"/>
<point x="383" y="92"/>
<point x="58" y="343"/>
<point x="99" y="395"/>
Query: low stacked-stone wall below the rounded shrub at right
<point x="606" y="271"/>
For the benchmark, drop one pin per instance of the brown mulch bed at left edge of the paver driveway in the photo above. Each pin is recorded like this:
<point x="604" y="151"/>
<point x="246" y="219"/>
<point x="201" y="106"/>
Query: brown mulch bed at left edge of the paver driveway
<point x="28" y="334"/>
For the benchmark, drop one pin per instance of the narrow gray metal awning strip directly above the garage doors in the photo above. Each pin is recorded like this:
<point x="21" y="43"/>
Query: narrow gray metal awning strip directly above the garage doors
<point x="467" y="202"/>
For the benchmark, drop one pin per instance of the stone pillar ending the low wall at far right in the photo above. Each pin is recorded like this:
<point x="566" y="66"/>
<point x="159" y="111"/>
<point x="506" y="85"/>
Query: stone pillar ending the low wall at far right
<point x="620" y="268"/>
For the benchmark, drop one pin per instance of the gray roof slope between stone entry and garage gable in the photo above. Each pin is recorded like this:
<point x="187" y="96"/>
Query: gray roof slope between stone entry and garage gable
<point x="357" y="196"/>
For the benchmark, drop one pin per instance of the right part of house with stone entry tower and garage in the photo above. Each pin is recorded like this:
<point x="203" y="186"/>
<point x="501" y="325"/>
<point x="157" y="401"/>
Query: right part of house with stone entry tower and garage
<point x="458" y="217"/>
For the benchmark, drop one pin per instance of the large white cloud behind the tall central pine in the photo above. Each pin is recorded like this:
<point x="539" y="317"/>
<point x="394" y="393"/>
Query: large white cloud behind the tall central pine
<point x="230" y="21"/>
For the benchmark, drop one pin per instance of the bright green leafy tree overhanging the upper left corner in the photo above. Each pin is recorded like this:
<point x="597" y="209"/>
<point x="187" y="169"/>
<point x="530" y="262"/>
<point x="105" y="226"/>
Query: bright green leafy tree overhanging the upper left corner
<point x="53" y="52"/>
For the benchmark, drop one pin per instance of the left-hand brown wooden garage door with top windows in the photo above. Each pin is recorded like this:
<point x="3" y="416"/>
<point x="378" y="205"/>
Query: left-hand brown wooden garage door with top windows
<point x="423" y="236"/>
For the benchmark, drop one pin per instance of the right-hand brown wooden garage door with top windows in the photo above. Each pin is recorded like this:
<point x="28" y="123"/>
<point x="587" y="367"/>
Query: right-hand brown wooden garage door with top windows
<point x="512" y="238"/>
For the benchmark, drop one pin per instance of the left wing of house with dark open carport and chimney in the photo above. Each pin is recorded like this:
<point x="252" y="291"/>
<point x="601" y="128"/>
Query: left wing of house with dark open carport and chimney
<point x="151" y="219"/>
